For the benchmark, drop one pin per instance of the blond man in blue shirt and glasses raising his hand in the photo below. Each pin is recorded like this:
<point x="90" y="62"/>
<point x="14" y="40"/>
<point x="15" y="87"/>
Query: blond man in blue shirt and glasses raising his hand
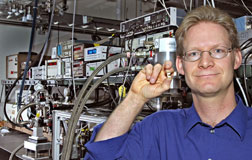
<point x="216" y="127"/>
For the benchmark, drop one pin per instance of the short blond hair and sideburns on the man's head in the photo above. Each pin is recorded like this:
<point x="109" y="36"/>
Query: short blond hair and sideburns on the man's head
<point x="205" y="14"/>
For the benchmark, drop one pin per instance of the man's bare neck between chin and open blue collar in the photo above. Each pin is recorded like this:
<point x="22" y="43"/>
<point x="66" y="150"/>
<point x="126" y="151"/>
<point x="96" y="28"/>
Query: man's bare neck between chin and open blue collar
<point x="213" y="109"/>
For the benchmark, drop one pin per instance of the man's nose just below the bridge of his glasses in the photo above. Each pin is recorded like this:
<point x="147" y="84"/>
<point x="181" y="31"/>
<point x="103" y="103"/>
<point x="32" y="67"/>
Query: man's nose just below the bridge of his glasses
<point x="206" y="60"/>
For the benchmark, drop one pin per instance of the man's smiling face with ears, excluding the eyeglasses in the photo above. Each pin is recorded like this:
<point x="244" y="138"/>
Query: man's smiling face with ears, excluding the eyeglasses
<point x="208" y="76"/>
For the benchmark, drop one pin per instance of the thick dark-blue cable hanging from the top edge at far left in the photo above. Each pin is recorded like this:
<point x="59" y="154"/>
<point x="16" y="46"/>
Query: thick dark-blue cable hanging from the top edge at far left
<point x="29" y="53"/>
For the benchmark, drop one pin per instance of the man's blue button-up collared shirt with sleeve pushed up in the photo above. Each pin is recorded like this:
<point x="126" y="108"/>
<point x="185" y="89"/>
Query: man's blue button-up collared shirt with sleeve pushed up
<point x="180" y="135"/>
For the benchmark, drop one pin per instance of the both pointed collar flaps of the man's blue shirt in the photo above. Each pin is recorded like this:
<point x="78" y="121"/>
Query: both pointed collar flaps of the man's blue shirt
<point x="237" y="120"/>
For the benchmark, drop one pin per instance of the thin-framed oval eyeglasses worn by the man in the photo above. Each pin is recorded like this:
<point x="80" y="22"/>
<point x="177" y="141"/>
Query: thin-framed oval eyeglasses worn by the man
<point x="217" y="53"/>
